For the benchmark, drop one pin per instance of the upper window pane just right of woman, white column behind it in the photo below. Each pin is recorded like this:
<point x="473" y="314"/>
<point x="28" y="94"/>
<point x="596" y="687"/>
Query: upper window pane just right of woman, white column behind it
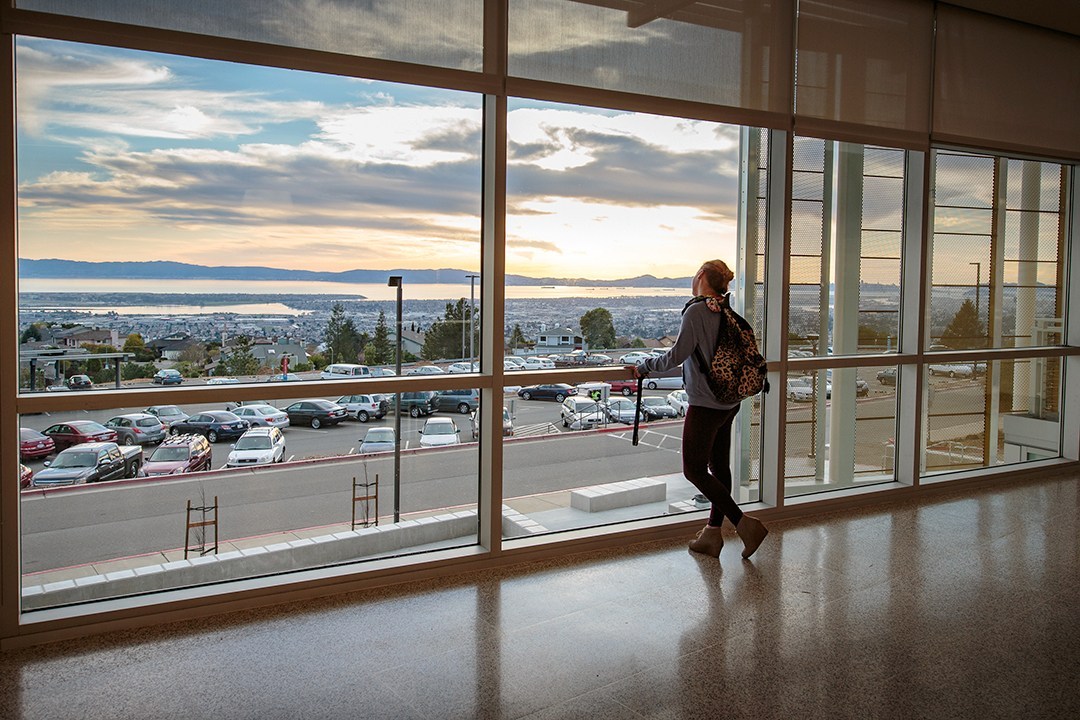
<point x="847" y="233"/>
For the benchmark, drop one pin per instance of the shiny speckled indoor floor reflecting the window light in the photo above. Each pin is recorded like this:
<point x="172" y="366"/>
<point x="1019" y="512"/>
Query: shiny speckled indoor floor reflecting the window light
<point x="956" y="606"/>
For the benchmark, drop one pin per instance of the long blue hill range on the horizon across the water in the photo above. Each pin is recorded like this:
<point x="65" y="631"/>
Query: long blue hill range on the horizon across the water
<point x="169" y="270"/>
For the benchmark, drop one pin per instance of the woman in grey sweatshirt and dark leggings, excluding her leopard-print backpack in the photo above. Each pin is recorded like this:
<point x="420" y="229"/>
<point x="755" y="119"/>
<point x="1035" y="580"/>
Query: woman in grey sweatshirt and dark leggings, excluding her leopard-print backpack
<point x="707" y="434"/>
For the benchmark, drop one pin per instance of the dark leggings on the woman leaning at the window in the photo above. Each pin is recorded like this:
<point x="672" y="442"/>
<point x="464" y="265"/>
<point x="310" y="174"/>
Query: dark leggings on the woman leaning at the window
<point x="707" y="450"/>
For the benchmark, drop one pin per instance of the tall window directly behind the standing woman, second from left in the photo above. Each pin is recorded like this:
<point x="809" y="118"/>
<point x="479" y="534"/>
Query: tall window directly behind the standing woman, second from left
<point x="610" y="216"/>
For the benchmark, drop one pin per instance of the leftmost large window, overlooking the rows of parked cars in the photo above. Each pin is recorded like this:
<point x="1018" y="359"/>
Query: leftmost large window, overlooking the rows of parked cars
<point x="190" y="224"/>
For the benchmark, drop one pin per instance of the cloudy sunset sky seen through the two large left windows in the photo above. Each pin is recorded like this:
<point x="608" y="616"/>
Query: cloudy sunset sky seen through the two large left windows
<point x="133" y="156"/>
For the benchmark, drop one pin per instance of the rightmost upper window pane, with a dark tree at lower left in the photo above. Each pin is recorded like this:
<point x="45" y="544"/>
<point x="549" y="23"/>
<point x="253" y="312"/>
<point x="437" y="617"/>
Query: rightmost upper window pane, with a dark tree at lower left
<point x="998" y="261"/>
